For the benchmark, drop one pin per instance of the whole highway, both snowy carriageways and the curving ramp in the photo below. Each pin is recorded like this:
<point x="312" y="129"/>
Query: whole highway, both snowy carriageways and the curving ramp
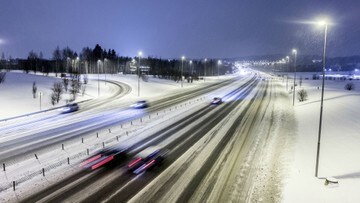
<point x="211" y="148"/>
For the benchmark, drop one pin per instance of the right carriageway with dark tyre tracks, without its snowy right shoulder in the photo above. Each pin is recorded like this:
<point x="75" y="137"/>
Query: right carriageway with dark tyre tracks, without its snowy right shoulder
<point x="231" y="125"/>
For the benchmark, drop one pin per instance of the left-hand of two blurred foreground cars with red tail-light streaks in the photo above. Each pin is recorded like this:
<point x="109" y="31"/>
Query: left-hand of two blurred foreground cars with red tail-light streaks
<point x="107" y="157"/>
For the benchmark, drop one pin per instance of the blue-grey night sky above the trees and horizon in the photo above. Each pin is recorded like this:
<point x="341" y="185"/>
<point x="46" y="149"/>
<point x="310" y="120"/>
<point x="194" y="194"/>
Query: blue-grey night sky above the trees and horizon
<point x="170" y="29"/>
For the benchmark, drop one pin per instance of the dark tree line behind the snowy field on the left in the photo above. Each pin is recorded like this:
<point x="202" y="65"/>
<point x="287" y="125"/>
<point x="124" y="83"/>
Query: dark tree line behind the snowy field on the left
<point x="99" y="60"/>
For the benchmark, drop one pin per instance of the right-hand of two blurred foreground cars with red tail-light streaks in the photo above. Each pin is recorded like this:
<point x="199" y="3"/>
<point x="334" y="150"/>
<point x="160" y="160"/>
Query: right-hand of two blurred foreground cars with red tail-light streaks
<point x="147" y="159"/>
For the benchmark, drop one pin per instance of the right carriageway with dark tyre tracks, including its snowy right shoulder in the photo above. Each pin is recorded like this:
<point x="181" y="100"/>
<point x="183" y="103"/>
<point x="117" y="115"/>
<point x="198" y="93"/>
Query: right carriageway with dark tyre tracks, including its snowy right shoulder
<point x="200" y="158"/>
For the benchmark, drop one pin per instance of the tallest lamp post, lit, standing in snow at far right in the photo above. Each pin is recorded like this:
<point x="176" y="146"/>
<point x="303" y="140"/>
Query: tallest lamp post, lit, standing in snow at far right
<point x="322" y="97"/>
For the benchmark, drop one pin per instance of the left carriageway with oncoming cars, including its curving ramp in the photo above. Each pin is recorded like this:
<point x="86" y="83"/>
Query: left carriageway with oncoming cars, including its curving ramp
<point x="39" y="134"/>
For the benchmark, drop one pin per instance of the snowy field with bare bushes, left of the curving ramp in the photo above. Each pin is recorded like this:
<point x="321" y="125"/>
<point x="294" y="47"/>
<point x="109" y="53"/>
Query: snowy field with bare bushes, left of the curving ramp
<point x="17" y="99"/>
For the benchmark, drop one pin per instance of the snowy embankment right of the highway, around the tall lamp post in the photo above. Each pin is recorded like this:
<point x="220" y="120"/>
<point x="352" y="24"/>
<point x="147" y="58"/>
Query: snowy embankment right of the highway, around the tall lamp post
<point x="340" y="141"/>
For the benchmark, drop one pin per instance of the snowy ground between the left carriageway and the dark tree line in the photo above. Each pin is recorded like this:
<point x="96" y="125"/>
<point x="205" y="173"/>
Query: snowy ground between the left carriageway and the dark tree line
<point x="17" y="99"/>
